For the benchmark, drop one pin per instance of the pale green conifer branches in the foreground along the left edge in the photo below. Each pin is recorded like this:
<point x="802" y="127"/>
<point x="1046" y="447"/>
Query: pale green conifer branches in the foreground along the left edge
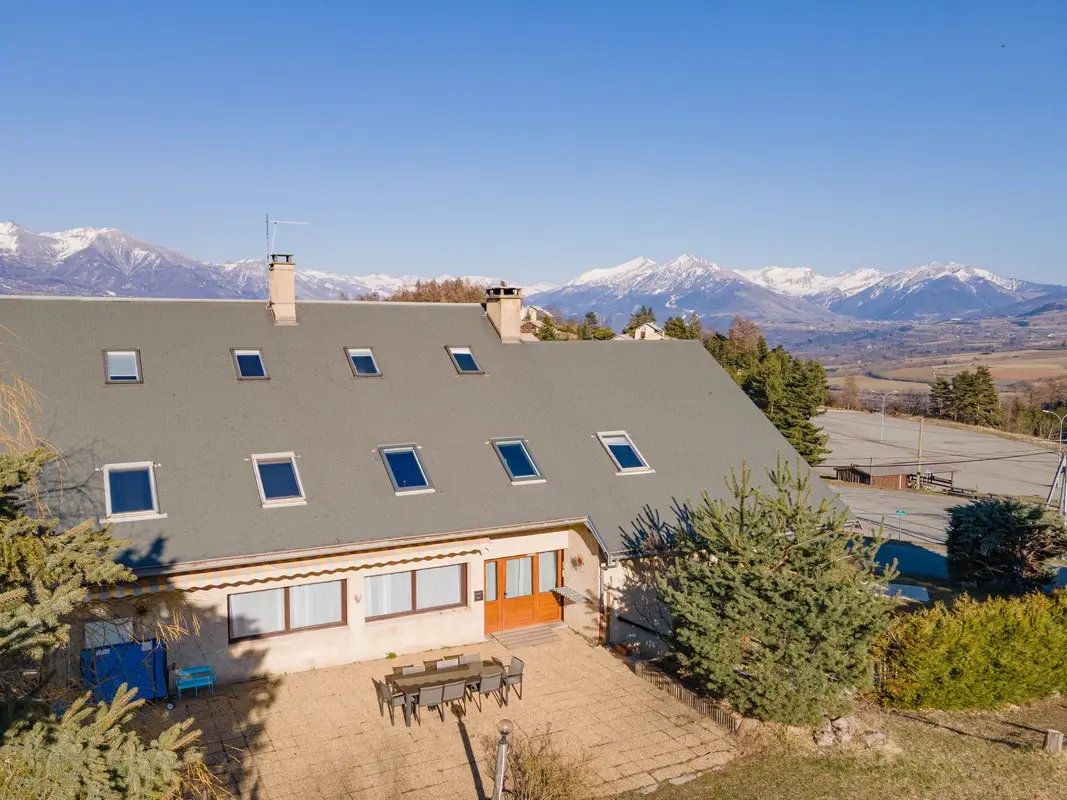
<point x="90" y="751"/>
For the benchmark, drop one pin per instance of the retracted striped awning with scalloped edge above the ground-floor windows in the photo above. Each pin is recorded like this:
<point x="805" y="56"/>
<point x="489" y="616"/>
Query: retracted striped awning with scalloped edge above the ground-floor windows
<point x="284" y="571"/>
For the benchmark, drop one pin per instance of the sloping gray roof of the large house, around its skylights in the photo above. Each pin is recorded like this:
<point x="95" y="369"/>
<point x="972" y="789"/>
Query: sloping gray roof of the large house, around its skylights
<point x="201" y="425"/>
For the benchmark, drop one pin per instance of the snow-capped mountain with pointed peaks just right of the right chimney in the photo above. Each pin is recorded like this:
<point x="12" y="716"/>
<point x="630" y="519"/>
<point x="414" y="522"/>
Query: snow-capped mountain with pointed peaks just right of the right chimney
<point x="682" y="286"/>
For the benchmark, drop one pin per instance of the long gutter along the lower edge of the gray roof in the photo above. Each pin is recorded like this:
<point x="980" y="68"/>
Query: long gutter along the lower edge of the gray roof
<point x="339" y="550"/>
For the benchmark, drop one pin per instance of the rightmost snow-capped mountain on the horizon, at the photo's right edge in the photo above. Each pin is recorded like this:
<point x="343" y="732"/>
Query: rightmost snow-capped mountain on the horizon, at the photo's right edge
<point x="941" y="292"/>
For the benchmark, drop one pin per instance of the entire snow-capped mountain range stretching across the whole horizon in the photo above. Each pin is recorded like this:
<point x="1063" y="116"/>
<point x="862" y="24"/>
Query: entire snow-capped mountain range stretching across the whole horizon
<point x="106" y="262"/>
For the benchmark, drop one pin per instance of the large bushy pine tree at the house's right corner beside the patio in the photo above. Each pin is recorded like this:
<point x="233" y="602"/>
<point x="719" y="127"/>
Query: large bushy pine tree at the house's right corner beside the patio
<point x="771" y="600"/>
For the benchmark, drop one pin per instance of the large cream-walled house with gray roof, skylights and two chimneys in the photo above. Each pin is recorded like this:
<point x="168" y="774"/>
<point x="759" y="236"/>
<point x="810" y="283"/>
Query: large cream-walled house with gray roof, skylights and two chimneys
<point x="325" y="483"/>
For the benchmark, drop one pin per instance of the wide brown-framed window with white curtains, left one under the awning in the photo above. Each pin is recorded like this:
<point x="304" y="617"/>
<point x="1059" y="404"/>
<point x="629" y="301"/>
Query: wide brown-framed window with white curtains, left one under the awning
<point x="286" y="611"/>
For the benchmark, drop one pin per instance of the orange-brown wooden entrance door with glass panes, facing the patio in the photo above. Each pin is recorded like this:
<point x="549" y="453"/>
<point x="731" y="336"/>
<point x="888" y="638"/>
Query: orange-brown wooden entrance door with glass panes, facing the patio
<point x="519" y="591"/>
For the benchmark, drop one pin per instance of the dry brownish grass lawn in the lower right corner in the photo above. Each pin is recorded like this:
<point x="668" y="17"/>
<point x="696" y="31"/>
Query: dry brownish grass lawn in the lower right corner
<point x="948" y="757"/>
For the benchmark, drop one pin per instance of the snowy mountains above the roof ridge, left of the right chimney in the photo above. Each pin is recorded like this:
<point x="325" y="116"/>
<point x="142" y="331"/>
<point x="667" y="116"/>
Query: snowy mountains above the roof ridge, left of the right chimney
<point x="106" y="262"/>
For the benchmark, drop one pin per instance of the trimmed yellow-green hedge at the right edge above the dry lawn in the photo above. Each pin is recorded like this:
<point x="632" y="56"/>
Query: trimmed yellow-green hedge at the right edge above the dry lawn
<point x="976" y="654"/>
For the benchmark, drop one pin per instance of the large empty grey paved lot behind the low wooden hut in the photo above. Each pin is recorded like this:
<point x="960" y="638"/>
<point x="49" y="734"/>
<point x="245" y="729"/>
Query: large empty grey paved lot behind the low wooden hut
<point x="983" y="461"/>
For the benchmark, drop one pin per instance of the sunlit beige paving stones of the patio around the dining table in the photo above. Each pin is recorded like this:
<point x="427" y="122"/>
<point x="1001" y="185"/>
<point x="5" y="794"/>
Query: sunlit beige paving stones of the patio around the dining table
<point x="318" y="734"/>
